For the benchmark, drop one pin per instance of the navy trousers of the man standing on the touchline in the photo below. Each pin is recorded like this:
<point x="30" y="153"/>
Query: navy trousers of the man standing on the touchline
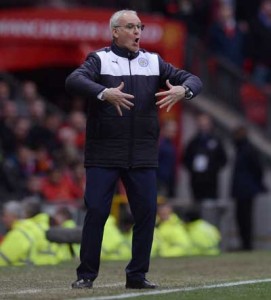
<point x="141" y="189"/>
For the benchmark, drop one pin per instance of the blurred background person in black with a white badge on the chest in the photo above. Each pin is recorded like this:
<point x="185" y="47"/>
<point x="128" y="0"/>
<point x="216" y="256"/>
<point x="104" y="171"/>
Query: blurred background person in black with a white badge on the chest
<point x="204" y="157"/>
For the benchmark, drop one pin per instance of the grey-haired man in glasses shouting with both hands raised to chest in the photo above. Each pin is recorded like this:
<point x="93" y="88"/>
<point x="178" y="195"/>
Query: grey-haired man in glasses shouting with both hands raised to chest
<point x="121" y="84"/>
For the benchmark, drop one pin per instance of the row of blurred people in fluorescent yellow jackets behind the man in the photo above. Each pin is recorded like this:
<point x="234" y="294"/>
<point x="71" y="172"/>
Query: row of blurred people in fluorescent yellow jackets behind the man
<point x="28" y="225"/>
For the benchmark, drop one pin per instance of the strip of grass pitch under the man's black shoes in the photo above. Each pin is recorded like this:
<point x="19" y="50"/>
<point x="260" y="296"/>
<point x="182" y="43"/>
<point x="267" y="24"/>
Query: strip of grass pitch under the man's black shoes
<point x="242" y="275"/>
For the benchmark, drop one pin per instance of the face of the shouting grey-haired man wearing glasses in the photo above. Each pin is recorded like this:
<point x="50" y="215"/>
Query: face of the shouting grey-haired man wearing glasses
<point x="127" y="34"/>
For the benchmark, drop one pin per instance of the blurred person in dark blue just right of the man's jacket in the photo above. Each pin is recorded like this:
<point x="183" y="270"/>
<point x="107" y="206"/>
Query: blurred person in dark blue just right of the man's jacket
<point x="166" y="173"/>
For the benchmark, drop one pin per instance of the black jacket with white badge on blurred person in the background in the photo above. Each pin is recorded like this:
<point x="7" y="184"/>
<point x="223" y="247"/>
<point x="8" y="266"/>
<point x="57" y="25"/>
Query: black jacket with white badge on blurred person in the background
<point x="204" y="157"/>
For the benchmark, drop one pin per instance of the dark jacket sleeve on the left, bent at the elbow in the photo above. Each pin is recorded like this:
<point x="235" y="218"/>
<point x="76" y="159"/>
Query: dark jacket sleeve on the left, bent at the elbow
<point x="83" y="81"/>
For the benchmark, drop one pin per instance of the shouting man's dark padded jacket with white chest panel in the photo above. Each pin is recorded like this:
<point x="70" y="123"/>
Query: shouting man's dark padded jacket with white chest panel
<point x="130" y="140"/>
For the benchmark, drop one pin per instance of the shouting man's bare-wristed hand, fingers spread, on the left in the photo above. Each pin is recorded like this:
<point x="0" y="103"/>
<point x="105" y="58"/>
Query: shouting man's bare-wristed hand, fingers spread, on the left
<point x="119" y="99"/>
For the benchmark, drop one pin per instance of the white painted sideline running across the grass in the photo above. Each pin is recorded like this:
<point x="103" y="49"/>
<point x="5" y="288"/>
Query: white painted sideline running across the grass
<point x="169" y="291"/>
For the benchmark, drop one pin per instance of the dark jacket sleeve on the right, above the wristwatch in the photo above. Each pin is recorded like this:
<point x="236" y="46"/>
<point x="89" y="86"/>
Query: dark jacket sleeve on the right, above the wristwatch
<point x="178" y="77"/>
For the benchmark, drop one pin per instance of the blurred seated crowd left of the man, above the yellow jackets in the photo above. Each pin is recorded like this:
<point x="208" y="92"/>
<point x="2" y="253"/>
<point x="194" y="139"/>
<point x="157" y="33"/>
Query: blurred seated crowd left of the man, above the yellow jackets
<point x="41" y="147"/>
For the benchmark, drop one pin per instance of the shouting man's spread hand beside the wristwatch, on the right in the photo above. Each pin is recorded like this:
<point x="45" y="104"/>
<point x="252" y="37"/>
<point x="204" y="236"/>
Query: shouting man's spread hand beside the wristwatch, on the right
<point x="172" y="96"/>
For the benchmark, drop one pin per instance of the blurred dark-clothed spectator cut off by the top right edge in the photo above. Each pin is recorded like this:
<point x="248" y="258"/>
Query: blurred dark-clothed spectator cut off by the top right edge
<point x="260" y="47"/>
